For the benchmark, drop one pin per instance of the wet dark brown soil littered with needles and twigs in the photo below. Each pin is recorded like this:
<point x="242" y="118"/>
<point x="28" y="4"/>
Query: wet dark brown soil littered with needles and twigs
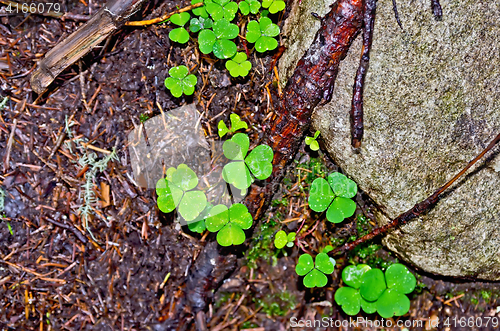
<point x="141" y="270"/>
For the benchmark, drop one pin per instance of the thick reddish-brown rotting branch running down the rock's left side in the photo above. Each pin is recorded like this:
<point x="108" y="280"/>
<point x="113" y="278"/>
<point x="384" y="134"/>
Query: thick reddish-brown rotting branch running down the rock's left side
<point x="312" y="82"/>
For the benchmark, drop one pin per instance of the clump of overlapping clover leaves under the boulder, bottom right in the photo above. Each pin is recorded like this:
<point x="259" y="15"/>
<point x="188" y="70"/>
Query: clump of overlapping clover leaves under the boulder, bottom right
<point x="371" y="290"/>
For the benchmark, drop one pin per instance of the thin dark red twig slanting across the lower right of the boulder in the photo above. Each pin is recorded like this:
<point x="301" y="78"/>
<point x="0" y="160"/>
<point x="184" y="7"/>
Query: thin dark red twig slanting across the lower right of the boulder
<point x="418" y="209"/>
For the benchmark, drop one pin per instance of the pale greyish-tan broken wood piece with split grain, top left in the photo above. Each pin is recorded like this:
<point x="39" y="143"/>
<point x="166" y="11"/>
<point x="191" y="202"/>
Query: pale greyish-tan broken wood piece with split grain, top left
<point x="107" y="20"/>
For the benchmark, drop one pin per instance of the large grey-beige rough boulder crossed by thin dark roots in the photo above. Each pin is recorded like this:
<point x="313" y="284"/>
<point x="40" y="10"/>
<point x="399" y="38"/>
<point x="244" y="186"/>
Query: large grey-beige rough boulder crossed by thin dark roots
<point x="432" y="103"/>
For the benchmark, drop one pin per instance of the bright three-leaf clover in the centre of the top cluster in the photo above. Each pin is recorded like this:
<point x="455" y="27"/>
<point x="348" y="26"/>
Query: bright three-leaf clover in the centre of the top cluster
<point x="218" y="41"/>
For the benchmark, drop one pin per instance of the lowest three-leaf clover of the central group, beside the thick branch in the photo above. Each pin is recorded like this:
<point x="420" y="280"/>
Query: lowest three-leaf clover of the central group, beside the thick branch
<point x="230" y="223"/>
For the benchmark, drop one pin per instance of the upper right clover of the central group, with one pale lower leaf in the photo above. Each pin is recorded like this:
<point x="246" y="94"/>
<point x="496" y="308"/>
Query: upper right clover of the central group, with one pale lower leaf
<point x="258" y="161"/>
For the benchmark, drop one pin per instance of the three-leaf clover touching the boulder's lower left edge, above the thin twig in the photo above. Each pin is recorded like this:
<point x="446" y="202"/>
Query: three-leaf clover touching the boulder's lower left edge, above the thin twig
<point x="333" y="195"/>
